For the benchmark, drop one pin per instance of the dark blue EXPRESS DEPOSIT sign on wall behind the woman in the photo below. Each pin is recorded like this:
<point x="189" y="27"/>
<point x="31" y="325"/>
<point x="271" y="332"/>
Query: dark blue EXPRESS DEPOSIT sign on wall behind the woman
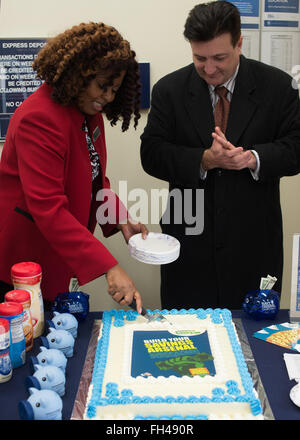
<point x="17" y="78"/>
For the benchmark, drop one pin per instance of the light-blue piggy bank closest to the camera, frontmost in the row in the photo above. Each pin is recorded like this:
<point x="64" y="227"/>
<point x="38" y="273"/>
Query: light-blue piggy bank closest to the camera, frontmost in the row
<point x="41" y="405"/>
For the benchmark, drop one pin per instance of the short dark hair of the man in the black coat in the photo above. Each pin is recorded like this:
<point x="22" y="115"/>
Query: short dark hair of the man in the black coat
<point x="210" y="20"/>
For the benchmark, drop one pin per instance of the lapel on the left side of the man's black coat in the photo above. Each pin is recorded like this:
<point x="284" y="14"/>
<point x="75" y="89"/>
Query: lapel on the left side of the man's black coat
<point x="199" y="108"/>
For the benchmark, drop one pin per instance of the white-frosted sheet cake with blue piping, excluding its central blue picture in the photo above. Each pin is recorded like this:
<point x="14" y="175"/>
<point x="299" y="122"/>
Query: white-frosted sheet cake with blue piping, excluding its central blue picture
<point x="179" y="397"/>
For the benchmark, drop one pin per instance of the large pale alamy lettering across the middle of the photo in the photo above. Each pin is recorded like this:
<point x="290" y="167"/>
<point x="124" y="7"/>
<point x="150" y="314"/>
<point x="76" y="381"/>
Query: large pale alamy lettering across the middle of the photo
<point x="181" y="207"/>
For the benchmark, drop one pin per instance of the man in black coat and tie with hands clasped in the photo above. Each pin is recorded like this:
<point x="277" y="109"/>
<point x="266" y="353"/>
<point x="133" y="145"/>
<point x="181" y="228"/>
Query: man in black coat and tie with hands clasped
<point x="237" y="166"/>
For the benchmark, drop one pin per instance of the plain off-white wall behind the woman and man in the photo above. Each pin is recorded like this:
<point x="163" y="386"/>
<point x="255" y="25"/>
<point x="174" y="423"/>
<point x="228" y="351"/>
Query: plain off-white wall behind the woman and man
<point x="154" y="29"/>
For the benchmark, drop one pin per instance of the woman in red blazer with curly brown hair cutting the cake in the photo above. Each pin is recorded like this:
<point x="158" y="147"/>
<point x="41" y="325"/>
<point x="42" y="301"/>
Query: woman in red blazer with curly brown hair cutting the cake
<point x="54" y="161"/>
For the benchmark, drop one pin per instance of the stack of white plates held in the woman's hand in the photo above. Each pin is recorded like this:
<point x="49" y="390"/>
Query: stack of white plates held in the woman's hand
<point x="156" y="249"/>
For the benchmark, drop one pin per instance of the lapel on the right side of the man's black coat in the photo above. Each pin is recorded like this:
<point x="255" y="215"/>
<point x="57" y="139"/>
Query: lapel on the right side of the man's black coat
<point x="244" y="103"/>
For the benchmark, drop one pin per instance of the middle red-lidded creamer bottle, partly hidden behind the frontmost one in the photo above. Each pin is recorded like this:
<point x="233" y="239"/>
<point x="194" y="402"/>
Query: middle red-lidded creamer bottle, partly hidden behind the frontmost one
<point x="23" y="297"/>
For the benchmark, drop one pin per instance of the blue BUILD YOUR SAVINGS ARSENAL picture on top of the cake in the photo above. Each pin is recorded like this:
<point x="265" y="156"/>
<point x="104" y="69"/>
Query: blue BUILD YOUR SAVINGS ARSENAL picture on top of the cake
<point x="160" y="353"/>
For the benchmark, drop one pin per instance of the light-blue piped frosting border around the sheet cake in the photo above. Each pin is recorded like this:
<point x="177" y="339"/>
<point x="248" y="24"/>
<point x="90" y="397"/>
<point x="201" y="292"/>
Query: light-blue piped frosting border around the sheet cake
<point x="114" y="397"/>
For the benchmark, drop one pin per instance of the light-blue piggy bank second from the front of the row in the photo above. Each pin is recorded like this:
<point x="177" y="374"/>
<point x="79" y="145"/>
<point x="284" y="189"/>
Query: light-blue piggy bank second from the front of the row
<point x="47" y="378"/>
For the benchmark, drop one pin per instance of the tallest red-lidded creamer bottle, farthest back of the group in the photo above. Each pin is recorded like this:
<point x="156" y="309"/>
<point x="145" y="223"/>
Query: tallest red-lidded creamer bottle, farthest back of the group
<point x="28" y="276"/>
